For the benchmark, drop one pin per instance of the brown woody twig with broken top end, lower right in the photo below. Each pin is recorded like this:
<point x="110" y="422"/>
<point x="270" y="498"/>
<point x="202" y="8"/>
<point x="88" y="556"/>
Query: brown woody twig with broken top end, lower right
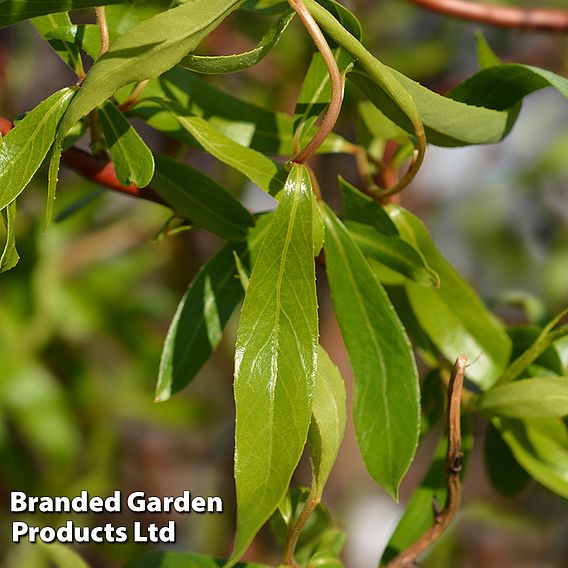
<point x="454" y="458"/>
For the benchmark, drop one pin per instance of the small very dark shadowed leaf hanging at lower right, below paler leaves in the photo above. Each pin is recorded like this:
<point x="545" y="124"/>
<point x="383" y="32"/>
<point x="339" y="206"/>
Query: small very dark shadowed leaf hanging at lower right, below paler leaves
<point x="503" y="470"/>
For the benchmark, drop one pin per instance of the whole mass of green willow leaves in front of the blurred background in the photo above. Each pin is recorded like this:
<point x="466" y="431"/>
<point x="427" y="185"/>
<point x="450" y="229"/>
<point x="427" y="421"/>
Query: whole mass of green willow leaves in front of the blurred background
<point x="388" y="280"/>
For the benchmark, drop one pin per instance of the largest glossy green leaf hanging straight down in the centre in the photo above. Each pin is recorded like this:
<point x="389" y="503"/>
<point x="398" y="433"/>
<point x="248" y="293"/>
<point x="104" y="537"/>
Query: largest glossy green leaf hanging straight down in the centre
<point x="275" y="361"/>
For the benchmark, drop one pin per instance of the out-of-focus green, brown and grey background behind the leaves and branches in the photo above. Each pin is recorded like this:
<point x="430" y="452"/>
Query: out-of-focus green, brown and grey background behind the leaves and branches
<point x="84" y="314"/>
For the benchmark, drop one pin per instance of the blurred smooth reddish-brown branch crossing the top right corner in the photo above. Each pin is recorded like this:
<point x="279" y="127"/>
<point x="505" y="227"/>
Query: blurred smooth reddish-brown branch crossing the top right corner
<point x="537" y="19"/>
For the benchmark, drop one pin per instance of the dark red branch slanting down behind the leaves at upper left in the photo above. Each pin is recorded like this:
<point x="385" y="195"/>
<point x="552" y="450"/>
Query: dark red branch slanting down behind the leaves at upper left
<point x="96" y="169"/>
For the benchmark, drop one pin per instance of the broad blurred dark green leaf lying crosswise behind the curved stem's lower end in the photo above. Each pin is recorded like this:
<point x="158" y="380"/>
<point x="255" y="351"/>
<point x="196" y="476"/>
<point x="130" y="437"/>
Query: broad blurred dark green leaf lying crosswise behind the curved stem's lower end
<point x="249" y="125"/>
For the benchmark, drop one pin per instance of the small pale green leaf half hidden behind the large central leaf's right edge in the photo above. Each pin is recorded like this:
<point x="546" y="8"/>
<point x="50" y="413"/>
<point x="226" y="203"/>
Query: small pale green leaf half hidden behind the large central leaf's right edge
<point x="328" y="421"/>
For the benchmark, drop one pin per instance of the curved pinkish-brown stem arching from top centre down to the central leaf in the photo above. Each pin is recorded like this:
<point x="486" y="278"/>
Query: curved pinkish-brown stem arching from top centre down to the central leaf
<point x="337" y="83"/>
